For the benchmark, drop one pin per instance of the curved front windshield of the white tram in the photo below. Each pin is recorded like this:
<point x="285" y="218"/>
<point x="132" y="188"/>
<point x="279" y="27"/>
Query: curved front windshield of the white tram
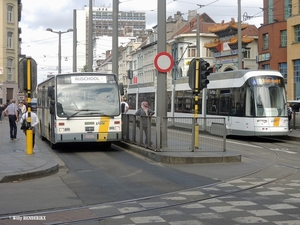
<point x="268" y="96"/>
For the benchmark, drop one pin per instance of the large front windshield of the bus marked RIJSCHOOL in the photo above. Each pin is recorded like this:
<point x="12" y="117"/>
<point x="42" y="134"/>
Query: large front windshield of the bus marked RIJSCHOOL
<point x="78" y="99"/>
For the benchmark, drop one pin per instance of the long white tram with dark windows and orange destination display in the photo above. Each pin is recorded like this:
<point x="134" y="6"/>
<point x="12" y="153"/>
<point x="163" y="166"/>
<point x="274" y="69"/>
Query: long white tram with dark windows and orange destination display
<point x="253" y="102"/>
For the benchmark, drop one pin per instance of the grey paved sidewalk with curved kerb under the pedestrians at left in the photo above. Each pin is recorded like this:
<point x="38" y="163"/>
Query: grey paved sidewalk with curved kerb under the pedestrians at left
<point x="16" y="165"/>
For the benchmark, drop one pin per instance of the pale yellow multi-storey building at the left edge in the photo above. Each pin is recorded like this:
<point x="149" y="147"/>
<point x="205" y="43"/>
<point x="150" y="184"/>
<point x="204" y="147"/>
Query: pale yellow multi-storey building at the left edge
<point x="10" y="13"/>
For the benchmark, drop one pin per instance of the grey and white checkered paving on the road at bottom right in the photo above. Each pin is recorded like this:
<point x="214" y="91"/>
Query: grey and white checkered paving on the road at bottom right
<point x="225" y="203"/>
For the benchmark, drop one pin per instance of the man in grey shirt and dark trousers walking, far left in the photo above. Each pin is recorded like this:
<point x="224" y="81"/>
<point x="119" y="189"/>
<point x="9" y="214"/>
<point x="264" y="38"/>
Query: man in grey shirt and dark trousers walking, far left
<point x="12" y="112"/>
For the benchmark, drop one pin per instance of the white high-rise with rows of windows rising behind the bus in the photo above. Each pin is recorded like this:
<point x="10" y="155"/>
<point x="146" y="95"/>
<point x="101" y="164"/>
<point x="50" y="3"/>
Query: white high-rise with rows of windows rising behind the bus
<point x="131" y="24"/>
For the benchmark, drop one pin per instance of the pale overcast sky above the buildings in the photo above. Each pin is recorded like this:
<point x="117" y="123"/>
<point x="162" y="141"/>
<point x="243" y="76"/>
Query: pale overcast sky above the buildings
<point x="42" y="45"/>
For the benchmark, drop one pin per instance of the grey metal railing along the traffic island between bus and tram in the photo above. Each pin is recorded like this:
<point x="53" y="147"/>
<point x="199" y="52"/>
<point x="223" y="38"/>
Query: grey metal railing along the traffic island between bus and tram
<point x="175" y="133"/>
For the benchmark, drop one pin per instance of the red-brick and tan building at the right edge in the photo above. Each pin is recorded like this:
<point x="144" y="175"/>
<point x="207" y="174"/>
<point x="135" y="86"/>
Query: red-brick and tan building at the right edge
<point x="279" y="42"/>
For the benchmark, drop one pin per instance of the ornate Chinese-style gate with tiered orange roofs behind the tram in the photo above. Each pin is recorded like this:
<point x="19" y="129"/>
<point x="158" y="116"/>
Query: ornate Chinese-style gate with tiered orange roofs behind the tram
<point x="225" y="47"/>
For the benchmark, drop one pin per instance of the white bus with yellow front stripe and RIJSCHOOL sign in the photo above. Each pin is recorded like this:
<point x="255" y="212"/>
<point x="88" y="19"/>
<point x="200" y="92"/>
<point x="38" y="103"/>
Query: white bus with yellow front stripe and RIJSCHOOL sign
<point x="79" y="107"/>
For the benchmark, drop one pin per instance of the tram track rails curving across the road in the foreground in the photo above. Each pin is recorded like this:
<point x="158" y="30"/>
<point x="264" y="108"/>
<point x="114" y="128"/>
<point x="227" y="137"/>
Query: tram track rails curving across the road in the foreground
<point x="258" y="174"/>
